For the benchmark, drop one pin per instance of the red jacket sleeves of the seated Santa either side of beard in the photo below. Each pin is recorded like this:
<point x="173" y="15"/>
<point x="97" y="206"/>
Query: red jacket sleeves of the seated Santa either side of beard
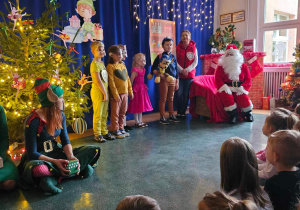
<point x="221" y="77"/>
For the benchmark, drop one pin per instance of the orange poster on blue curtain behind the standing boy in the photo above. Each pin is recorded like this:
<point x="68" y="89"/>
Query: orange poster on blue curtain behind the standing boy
<point x="158" y="30"/>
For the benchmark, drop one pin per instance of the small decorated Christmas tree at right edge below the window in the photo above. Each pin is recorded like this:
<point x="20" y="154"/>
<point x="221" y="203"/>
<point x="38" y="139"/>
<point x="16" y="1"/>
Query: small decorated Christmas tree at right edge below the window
<point x="292" y="81"/>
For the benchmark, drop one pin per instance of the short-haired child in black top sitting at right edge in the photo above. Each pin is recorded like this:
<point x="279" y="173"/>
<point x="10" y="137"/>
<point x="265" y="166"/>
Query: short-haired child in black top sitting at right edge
<point x="283" y="152"/>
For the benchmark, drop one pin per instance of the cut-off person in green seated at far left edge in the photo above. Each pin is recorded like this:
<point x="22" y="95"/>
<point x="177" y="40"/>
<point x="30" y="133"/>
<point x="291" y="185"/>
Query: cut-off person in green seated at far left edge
<point x="8" y="170"/>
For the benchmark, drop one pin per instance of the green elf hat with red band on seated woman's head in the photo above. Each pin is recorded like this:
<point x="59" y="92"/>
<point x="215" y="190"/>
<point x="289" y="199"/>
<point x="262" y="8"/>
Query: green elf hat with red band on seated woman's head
<point x="47" y="93"/>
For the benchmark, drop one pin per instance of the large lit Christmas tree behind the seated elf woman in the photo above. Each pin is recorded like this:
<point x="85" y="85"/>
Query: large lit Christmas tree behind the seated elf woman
<point x="31" y="49"/>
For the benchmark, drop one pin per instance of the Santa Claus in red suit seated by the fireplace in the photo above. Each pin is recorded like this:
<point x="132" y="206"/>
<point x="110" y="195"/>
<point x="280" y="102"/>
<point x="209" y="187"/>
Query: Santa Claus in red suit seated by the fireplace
<point x="233" y="81"/>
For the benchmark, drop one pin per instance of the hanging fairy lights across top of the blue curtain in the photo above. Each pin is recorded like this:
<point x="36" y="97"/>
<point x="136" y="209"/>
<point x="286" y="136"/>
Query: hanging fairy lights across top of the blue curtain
<point x="196" y="13"/>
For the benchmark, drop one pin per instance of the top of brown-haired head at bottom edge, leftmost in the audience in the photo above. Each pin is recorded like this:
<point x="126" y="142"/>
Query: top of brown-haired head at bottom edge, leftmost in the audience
<point x="138" y="202"/>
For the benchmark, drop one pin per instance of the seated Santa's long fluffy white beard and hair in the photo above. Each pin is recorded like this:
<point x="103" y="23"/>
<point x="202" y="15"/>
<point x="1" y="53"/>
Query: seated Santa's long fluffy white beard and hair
<point x="232" y="64"/>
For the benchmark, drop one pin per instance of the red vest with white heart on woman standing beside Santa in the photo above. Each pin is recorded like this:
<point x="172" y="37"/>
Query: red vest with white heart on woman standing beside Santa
<point x="185" y="57"/>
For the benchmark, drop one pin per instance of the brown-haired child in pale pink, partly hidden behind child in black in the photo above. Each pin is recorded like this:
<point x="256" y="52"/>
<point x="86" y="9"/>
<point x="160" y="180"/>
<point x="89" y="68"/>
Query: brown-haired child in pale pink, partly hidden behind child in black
<point x="279" y="119"/>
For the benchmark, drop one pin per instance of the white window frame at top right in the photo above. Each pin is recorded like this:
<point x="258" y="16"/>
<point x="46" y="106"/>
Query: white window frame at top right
<point x="263" y="27"/>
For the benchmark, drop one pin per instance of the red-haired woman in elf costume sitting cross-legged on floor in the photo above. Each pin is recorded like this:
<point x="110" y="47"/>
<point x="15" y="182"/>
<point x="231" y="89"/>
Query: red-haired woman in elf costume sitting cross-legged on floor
<point x="45" y="159"/>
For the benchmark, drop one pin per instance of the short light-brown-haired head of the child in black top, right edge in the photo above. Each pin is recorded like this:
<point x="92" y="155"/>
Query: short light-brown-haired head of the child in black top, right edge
<point x="286" y="143"/>
